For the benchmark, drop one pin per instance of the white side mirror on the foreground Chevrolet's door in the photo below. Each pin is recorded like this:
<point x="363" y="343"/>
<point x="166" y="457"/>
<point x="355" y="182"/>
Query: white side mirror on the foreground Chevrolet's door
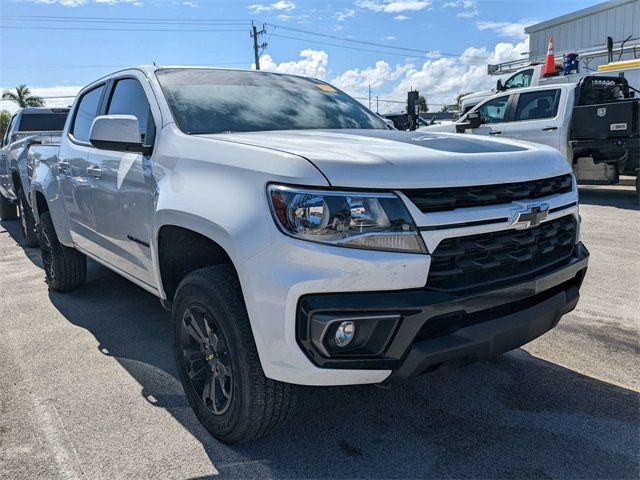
<point x="120" y="133"/>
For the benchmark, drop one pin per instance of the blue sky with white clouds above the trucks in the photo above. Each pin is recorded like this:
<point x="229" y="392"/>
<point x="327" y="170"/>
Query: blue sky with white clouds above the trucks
<point x="68" y="43"/>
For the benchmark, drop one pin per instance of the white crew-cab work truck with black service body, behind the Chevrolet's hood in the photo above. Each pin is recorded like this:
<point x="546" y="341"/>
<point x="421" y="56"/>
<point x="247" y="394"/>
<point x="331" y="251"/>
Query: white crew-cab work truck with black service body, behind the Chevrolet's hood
<point x="594" y="123"/>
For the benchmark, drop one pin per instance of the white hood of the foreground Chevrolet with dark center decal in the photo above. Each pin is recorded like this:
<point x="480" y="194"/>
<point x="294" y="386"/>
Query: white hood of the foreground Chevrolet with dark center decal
<point x="394" y="159"/>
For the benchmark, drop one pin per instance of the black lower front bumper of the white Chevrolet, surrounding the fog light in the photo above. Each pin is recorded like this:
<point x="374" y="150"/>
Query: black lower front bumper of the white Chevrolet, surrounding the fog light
<point x="413" y="331"/>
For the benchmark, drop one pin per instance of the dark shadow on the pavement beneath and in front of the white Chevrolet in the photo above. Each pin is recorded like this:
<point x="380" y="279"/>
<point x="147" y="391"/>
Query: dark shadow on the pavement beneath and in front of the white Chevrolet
<point x="515" y="417"/>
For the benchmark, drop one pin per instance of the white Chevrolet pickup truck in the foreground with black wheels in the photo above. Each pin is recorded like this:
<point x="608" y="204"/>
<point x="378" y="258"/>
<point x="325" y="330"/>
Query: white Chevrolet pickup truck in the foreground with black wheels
<point x="298" y="240"/>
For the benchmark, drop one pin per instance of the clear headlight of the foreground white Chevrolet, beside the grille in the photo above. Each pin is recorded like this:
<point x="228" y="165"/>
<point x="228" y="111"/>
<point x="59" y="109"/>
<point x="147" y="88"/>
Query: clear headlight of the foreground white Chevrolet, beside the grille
<point x="377" y="221"/>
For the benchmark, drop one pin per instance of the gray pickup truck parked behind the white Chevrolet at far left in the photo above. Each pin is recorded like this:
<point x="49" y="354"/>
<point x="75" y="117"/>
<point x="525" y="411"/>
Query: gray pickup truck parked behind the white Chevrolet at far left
<point x="28" y="126"/>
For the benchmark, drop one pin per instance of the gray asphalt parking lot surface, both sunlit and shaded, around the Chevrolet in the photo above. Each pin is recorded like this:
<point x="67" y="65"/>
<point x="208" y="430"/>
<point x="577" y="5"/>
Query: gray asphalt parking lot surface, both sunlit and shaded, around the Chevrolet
<point x="88" y="388"/>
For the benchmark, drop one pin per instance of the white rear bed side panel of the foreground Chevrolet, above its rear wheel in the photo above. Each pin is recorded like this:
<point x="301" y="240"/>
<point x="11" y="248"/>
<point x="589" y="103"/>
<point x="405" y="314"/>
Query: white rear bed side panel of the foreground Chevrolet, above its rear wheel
<point x="44" y="181"/>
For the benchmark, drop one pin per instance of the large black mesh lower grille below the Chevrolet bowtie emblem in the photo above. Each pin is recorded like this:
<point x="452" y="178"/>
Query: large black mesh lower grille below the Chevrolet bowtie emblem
<point x="487" y="260"/>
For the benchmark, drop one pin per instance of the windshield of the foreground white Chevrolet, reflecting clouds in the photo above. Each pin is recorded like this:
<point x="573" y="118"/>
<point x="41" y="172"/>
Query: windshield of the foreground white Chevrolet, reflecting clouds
<point x="215" y="101"/>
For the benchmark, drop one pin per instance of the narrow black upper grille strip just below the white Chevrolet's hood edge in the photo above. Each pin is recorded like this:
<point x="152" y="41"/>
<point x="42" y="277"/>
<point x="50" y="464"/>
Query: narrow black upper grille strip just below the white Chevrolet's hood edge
<point x="444" y="199"/>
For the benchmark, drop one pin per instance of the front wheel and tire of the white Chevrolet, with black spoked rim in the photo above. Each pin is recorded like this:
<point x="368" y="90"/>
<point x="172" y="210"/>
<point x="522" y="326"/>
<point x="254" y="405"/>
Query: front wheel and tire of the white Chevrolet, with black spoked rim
<point x="253" y="405"/>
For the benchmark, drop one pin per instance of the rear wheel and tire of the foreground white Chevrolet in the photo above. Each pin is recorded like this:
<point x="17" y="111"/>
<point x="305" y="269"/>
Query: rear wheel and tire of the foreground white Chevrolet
<point x="65" y="267"/>
